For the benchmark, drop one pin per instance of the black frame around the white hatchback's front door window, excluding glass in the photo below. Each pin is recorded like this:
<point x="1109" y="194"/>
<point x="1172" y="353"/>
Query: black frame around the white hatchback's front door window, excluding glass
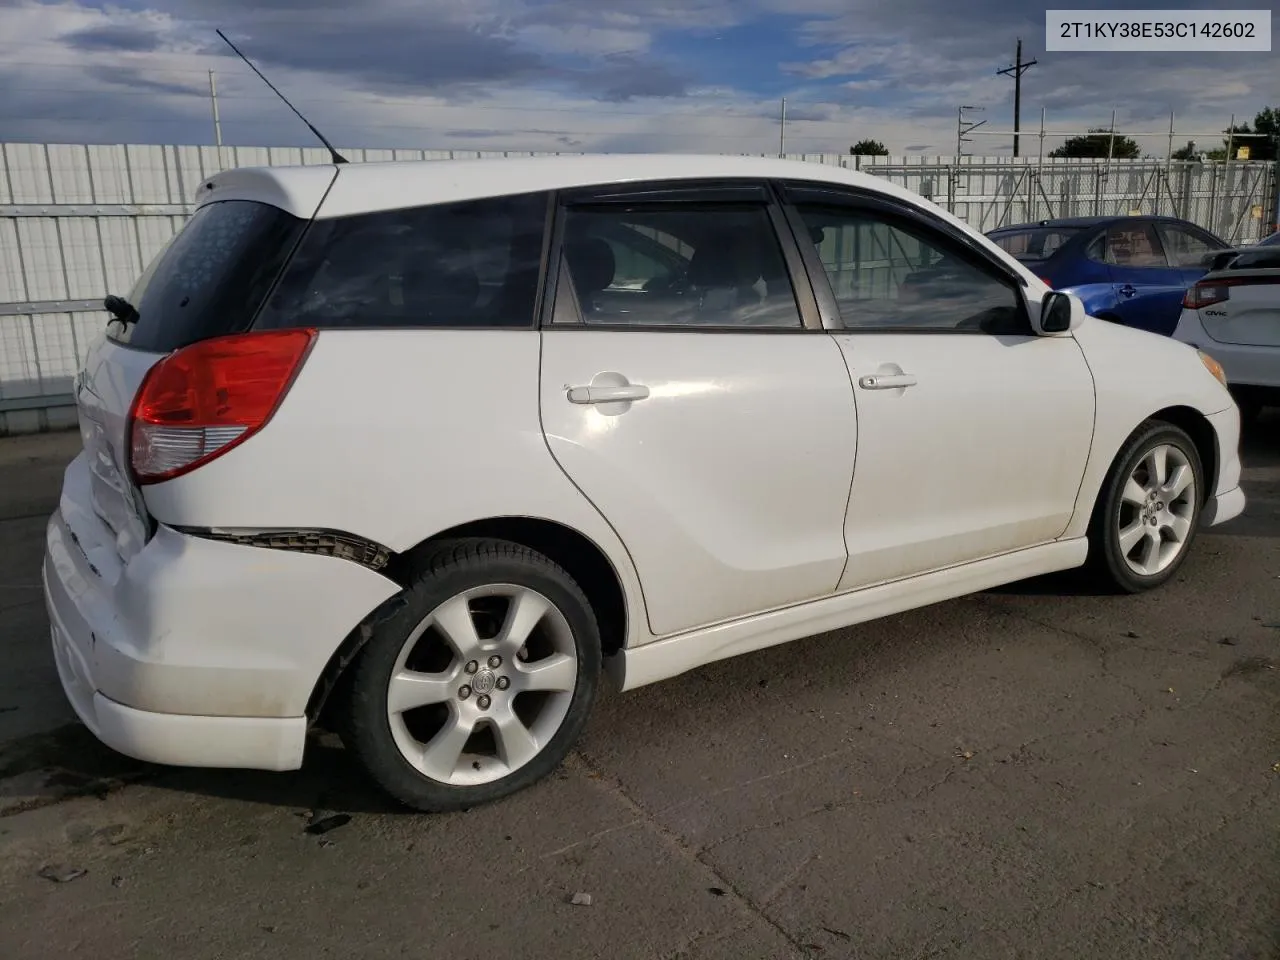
<point x="892" y="211"/>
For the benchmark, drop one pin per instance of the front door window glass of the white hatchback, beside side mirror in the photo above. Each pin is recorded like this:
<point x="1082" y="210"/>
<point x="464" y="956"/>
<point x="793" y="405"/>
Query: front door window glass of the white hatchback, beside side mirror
<point x="890" y="276"/>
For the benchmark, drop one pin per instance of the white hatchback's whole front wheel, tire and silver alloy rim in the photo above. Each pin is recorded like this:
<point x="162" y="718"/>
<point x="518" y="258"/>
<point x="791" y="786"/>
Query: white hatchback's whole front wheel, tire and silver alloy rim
<point x="1149" y="510"/>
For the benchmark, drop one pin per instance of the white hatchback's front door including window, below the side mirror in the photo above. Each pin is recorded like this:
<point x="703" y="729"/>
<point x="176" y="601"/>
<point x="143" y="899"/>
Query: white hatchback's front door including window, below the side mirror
<point x="973" y="433"/>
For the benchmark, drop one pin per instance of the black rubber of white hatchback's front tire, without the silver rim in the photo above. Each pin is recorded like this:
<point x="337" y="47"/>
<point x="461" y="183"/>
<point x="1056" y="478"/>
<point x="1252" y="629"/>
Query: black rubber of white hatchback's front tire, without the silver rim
<point x="1107" y="557"/>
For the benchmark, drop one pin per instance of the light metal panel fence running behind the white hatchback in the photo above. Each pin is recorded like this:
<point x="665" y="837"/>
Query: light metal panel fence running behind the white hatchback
<point x="79" y="221"/>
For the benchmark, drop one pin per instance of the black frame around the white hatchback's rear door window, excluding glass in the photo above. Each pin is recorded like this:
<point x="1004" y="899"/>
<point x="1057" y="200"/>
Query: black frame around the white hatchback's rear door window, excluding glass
<point x="675" y="195"/>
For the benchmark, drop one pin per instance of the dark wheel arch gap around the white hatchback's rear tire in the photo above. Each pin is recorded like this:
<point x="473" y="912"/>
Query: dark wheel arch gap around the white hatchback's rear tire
<point x="577" y="554"/>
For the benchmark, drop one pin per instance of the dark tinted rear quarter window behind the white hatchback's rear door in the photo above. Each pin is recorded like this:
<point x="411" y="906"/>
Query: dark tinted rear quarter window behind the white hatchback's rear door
<point x="468" y="264"/>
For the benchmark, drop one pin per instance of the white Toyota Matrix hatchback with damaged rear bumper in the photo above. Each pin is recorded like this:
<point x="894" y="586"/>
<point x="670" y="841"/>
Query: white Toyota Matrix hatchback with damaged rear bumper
<point x="420" y="450"/>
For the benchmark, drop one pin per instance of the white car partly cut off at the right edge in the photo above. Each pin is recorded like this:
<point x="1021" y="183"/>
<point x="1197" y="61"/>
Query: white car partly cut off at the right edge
<point x="1235" y="314"/>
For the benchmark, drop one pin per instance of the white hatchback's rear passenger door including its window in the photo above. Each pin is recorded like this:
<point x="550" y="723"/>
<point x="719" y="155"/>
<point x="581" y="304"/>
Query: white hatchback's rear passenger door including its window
<point x="697" y="401"/>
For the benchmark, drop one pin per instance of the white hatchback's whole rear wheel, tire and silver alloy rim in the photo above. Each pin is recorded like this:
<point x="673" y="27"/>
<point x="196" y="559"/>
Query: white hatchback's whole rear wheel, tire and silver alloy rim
<point x="479" y="685"/>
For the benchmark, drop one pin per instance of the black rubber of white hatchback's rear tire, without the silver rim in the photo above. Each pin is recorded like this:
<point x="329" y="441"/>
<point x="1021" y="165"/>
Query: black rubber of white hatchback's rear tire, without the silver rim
<point x="450" y="570"/>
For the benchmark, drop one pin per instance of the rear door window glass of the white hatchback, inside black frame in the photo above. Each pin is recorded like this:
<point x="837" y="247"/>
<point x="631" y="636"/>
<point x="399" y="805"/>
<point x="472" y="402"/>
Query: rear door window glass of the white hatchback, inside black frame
<point x="705" y="266"/>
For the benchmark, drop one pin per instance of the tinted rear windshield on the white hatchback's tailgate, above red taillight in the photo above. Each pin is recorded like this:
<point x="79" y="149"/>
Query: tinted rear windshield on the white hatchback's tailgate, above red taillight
<point x="212" y="278"/>
